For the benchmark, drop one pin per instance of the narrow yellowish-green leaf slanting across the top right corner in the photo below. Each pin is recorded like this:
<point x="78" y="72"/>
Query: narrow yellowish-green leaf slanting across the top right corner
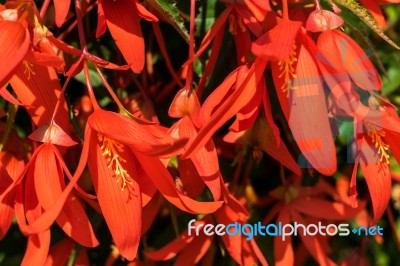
<point x="363" y="14"/>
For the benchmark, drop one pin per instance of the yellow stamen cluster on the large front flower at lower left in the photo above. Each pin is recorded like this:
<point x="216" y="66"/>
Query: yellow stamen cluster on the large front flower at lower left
<point x="110" y="149"/>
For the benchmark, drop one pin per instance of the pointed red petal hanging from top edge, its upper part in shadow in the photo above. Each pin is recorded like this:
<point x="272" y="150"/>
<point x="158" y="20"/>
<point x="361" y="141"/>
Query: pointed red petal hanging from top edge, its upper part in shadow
<point x="124" y="25"/>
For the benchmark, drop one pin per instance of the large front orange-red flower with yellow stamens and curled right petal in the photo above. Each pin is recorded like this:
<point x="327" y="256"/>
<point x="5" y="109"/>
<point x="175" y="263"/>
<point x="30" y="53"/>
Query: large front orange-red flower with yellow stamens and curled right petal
<point x="125" y="154"/>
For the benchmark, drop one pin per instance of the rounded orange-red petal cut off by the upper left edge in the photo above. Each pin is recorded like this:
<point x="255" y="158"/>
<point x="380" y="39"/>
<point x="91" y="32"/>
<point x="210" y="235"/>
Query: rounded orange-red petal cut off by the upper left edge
<point x="14" y="43"/>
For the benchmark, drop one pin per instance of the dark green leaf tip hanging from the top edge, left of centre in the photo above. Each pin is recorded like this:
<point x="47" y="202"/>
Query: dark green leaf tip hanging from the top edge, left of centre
<point x="168" y="9"/>
